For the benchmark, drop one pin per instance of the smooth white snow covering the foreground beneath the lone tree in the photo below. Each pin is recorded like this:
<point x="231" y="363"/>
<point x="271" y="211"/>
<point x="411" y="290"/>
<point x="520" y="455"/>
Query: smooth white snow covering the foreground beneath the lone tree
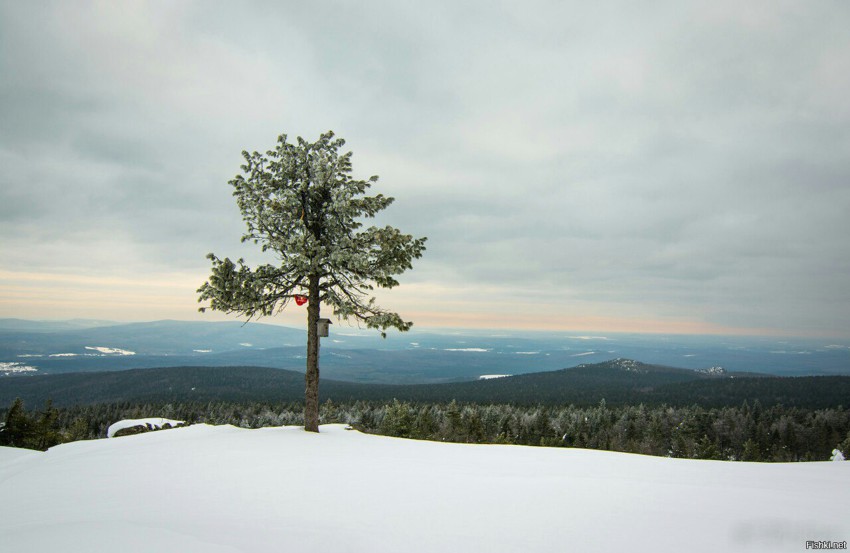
<point x="224" y="489"/>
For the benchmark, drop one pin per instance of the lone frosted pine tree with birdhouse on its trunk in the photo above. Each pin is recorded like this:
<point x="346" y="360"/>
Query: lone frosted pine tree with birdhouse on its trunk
<point x="301" y="202"/>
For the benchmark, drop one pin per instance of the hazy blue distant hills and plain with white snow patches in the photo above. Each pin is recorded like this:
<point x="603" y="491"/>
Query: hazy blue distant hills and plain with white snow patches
<point x="416" y="357"/>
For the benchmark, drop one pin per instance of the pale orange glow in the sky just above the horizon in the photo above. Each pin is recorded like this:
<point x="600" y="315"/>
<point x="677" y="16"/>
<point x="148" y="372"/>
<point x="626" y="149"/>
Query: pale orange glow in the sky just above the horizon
<point x="31" y="295"/>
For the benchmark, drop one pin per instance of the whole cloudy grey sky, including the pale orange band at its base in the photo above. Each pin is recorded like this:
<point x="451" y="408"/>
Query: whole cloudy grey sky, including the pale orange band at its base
<point x="675" y="167"/>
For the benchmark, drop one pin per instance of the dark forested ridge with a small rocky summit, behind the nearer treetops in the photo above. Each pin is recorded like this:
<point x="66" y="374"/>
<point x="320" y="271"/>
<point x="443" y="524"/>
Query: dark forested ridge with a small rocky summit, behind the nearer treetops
<point x="619" y="382"/>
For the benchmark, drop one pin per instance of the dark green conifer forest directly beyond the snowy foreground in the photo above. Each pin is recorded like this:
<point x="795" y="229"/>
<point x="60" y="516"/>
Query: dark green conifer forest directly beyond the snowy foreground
<point x="747" y="432"/>
